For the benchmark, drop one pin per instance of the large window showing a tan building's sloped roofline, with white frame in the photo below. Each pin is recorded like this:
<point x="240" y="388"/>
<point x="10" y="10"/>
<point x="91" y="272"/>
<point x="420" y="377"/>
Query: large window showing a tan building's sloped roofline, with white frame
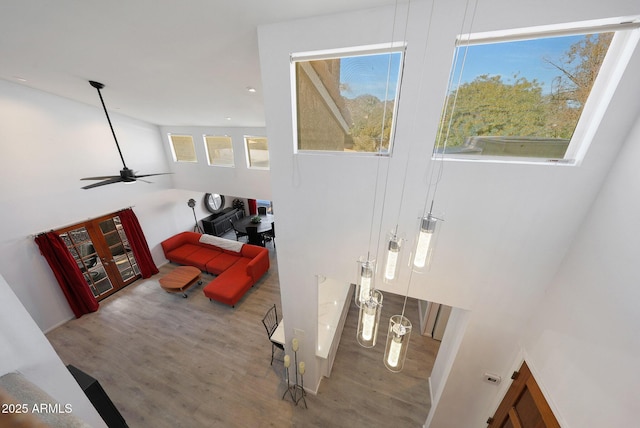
<point x="346" y="101"/>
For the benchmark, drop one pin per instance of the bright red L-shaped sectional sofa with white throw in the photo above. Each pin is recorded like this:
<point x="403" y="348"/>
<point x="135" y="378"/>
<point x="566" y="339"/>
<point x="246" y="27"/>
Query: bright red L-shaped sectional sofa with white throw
<point x="236" y="271"/>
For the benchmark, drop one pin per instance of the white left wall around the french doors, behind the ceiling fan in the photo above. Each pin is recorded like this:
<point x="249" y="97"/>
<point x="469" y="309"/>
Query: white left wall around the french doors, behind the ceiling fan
<point x="48" y="144"/>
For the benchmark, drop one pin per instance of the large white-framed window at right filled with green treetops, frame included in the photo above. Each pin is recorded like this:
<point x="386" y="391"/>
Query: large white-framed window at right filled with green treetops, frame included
<point x="535" y="96"/>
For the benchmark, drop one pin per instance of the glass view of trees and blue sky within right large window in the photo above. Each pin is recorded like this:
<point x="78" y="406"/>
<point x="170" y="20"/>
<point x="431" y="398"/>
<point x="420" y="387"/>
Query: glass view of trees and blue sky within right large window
<point x="520" y="98"/>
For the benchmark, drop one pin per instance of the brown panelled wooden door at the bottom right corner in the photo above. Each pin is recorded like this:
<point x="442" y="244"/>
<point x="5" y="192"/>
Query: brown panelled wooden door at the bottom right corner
<point x="523" y="406"/>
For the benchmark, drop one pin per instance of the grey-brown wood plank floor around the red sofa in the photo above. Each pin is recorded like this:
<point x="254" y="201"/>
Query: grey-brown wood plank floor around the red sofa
<point x="167" y="361"/>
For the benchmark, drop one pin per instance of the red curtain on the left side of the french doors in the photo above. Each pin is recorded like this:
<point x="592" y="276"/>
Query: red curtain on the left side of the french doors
<point x="66" y="270"/>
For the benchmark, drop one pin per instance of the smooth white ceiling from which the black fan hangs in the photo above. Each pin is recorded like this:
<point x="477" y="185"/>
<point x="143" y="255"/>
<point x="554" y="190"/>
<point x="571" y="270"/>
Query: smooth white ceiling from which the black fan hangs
<point x="161" y="61"/>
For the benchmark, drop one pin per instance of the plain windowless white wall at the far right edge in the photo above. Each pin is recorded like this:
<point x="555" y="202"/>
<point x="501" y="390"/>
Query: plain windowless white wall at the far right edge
<point x="583" y="341"/>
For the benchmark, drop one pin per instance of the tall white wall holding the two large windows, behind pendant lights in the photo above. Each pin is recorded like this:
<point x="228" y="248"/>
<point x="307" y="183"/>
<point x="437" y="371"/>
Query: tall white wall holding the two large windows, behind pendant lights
<point x="507" y="228"/>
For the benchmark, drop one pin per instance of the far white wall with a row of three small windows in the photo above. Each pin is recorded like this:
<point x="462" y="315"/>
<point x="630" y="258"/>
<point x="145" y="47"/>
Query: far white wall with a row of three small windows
<point x="238" y="181"/>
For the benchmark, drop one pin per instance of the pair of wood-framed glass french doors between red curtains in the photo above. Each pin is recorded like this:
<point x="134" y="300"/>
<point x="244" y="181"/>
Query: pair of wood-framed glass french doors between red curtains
<point x="102" y="251"/>
